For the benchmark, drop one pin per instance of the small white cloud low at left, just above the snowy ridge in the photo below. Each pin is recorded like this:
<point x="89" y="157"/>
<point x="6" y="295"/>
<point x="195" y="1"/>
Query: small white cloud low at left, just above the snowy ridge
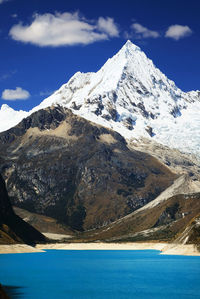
<point x="15" y="94"/>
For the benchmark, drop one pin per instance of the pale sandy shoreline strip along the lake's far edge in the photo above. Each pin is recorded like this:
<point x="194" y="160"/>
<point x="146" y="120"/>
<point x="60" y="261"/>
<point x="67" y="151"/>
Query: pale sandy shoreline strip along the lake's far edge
<point x="170" y="249"/>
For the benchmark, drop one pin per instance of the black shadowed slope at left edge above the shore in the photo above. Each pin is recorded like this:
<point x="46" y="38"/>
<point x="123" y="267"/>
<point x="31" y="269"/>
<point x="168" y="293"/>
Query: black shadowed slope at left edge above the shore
<point x="12" y="228"/>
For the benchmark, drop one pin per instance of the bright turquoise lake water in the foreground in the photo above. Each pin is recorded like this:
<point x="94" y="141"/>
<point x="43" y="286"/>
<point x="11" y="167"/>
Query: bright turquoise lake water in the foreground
<point x="100" y="274"/>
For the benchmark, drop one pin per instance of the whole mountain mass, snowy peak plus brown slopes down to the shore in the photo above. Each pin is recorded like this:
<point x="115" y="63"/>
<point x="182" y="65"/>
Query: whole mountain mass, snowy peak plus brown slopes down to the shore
<point x="113" y="155"/>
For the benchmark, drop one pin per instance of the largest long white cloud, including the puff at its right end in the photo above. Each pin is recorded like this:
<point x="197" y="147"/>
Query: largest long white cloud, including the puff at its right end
<point x="63" y="29"/>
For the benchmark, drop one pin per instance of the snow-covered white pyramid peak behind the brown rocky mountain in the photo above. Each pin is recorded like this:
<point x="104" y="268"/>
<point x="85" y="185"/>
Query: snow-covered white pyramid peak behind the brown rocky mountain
<point x="130" y="95"/>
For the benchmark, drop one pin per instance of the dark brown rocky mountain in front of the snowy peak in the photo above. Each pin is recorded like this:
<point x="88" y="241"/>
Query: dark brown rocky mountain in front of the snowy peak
<point x="84" y="175"/>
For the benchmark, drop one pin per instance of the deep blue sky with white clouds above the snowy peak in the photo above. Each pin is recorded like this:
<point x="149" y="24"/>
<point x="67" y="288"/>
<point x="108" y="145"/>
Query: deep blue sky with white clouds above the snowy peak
<point x="43" y="43"/>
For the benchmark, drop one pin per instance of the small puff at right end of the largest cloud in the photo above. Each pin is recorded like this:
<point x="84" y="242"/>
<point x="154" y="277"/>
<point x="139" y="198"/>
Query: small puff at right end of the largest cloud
<point x="108" y="26"/>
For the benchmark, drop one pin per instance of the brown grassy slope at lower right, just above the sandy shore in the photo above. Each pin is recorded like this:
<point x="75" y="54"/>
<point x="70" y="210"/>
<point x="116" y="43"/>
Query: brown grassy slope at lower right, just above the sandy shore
<point x="175" y="219"/>
